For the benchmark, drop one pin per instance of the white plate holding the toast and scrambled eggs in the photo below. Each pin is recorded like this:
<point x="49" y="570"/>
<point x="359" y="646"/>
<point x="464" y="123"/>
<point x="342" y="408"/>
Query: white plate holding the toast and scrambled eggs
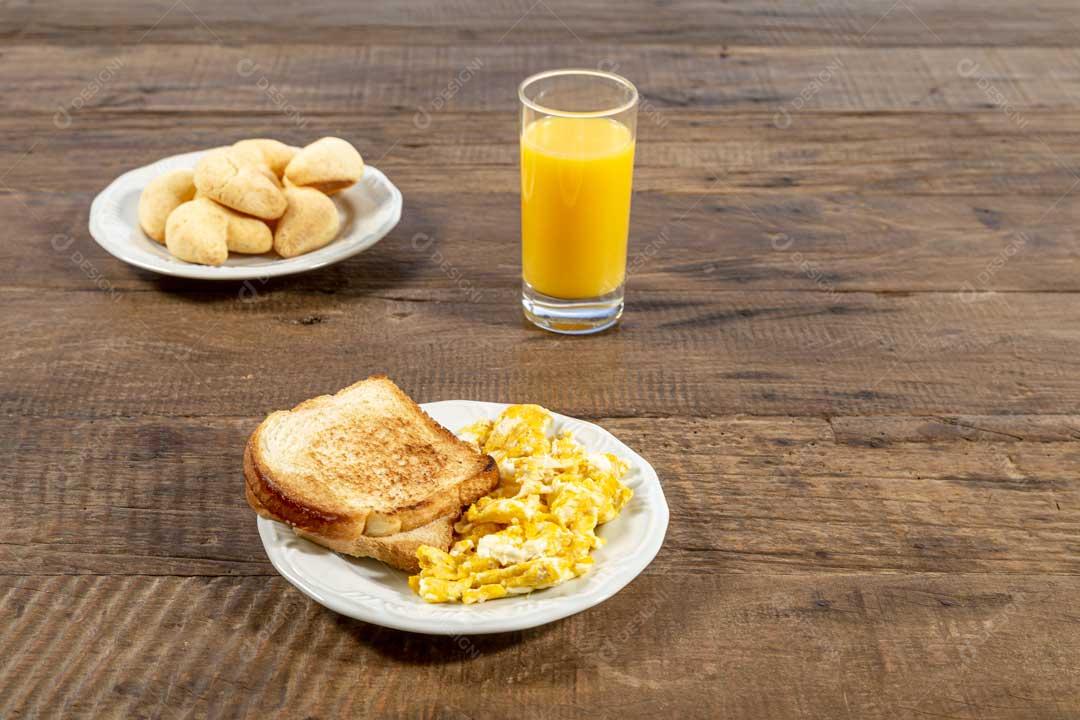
<point x="375" y="593"/>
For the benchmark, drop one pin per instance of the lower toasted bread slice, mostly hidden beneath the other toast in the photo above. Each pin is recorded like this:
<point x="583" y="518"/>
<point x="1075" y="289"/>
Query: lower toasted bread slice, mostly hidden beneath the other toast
<point x="398" y="551"/>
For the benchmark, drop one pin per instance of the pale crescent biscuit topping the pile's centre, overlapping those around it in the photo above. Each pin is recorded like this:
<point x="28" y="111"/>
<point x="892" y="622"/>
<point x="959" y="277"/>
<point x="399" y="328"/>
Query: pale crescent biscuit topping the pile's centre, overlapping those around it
<point x="228" y="178"/>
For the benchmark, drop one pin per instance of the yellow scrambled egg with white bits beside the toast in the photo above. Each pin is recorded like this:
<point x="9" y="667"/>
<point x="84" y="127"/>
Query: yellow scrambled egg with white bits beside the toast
<point x="538" y="527"/>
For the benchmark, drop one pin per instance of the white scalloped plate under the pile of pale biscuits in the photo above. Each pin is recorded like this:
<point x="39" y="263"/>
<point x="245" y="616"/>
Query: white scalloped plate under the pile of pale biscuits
<point x="370" y="210"/>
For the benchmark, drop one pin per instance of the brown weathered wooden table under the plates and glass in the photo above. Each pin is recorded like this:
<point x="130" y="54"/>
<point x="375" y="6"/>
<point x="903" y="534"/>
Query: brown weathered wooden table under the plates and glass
<point x="852" y="350"/>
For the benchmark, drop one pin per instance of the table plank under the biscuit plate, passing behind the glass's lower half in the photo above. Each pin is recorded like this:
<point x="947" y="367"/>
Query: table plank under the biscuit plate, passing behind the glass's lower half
<point x="767" y="241"/>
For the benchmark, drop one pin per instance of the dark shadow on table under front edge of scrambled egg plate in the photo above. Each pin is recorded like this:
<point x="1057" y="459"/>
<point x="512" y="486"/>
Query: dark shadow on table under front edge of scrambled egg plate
<point x="420" y="649"/>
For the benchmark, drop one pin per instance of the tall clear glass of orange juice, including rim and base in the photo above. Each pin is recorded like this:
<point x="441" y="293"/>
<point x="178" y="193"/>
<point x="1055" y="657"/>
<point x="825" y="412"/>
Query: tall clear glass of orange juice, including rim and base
<point x="577" y="143"/>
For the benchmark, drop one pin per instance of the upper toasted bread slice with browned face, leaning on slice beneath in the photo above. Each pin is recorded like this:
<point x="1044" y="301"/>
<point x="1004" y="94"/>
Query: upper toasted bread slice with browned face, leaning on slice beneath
<point x="367" y="461"/>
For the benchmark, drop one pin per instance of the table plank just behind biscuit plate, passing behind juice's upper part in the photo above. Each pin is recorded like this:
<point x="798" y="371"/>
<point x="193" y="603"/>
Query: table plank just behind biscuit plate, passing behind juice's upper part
<point x="719" y="155"/>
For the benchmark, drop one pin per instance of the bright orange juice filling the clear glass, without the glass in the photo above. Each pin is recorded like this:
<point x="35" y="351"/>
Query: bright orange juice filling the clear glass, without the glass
<point x="576" y="186"/>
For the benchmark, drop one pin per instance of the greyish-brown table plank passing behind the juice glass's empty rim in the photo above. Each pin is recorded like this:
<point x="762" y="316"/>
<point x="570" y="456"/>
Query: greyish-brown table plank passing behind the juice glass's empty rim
<point x="302" y="81"/>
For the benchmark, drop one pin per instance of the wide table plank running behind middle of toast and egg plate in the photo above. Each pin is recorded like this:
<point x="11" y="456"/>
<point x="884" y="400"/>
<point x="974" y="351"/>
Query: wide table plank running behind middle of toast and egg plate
<point x="163" y="496"/>
